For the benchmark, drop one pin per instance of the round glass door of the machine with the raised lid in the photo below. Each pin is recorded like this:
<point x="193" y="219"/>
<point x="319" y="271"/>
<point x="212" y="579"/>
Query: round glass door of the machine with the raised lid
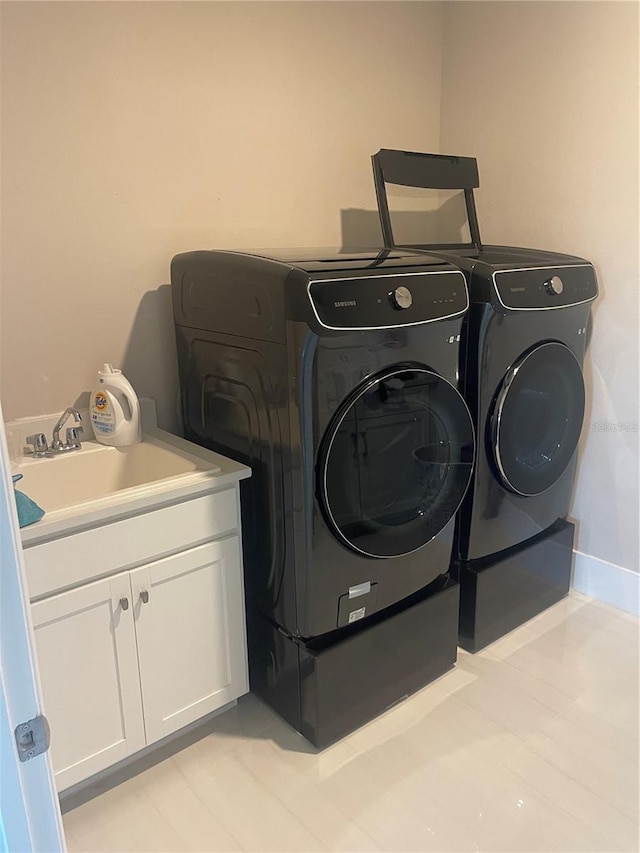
<point x="537" y="419"/>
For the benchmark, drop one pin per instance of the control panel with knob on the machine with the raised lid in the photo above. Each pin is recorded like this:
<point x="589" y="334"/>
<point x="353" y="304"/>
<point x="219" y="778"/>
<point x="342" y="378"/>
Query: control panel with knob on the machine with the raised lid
<point x="539" y="288"/>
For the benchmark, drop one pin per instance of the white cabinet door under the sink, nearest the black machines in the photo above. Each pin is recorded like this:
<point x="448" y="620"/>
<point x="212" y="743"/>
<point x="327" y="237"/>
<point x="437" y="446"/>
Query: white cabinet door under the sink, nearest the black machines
<point x="190" y="628"/>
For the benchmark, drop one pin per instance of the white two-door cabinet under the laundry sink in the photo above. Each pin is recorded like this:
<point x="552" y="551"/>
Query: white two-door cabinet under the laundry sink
<point x="133" y="657"/>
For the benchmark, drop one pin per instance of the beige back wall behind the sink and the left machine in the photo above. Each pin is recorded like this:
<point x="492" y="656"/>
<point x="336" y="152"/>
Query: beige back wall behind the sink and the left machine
<point x="132" y="131"/>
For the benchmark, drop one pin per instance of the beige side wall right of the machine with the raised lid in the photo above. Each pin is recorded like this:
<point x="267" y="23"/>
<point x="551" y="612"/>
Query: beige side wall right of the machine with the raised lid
<point x="546" y="96"/>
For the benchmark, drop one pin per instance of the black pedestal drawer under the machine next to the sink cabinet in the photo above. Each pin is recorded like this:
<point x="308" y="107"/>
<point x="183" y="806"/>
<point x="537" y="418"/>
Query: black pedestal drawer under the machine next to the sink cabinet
<point x="327" y="690"/>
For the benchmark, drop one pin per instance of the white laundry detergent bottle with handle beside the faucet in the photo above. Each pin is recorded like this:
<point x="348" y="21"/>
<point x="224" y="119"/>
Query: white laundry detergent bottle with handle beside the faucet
<point x="115" y="409"/>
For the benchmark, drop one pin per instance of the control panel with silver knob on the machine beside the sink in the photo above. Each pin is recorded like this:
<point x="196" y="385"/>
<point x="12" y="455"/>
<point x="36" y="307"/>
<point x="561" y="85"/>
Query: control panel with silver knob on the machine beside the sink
<point x="388" y="301"/>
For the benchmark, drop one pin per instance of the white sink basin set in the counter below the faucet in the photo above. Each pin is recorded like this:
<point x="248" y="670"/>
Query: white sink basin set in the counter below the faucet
<point x="96" y="471"/>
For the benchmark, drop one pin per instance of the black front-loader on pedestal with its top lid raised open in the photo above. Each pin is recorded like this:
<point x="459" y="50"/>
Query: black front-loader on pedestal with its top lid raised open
<point x="523" y="346"/>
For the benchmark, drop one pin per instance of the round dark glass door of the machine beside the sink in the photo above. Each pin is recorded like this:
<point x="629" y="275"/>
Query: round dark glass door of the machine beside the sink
<point x="395" y="462"/>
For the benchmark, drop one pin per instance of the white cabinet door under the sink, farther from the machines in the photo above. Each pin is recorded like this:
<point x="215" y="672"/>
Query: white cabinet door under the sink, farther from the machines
<point x="85" y="642"/>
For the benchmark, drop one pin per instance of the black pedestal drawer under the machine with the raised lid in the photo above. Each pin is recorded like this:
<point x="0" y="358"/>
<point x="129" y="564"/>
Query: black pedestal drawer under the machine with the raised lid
<point x="497" y="594"/>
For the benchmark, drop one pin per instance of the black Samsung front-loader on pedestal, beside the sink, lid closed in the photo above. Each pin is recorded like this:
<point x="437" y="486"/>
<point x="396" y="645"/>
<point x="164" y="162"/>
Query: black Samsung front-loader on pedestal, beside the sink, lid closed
<point x="334" y="376"/>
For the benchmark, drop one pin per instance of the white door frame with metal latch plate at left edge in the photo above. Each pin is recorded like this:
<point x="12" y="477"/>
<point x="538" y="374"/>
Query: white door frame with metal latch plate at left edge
<point x="29" y="811"/>
